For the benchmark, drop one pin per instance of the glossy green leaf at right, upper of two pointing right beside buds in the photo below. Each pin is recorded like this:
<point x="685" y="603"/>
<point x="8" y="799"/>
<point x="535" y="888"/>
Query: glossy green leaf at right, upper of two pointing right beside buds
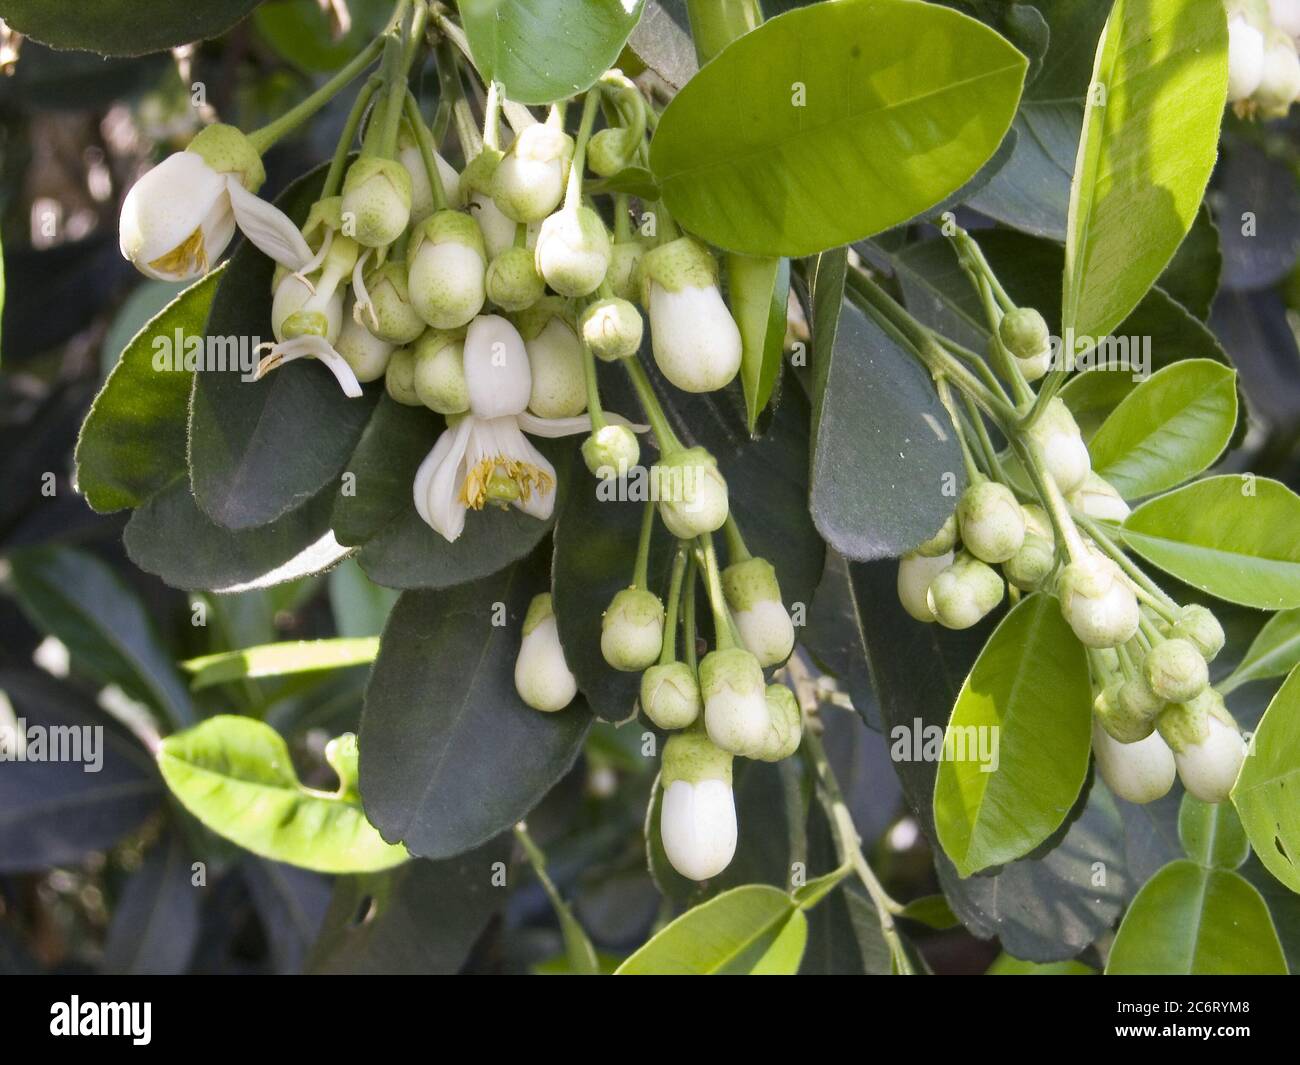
<point x="1168" y="430"/>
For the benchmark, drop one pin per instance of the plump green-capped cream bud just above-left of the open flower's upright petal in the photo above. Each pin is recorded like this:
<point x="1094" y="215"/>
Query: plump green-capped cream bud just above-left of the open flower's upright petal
<point x="447" y="270"/>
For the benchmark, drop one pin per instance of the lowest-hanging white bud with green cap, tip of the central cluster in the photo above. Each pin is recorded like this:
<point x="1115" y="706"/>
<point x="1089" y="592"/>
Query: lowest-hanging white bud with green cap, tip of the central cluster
<point x="697" y="815"/>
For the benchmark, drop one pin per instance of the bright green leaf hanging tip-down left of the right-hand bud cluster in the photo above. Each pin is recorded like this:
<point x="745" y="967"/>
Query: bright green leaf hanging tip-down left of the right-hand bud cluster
<point x="1029" y="694"/>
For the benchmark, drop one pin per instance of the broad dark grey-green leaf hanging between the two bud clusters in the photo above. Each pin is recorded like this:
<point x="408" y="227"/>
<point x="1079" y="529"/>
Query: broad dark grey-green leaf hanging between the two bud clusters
<point x="879" y="432"/>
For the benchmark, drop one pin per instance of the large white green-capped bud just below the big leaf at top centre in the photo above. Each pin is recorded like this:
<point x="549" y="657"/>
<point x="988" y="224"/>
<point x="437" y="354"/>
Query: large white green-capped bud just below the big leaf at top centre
<point x="694" y="336"/>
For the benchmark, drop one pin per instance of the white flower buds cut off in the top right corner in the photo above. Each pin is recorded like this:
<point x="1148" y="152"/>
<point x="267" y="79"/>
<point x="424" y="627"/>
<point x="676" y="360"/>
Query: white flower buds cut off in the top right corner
<point x="1263" y="64"/>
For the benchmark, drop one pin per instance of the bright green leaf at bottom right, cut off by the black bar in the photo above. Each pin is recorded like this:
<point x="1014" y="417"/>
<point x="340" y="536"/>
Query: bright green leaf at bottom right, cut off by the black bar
<point x="1194" y="921"/>
